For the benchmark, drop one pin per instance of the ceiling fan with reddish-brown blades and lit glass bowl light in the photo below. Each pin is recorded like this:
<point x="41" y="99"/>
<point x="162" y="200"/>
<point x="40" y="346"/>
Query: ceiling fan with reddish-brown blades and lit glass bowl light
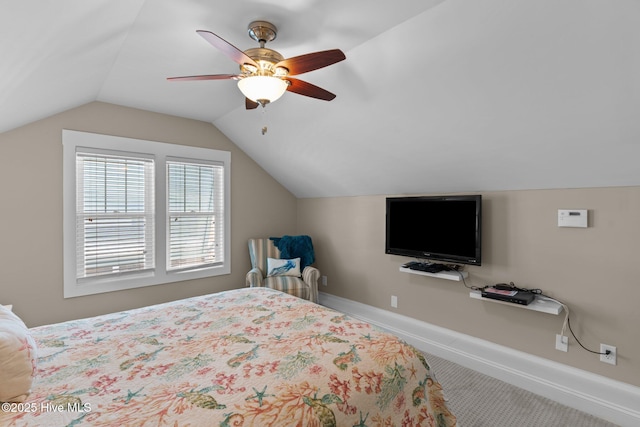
<point x="264" y="73"/>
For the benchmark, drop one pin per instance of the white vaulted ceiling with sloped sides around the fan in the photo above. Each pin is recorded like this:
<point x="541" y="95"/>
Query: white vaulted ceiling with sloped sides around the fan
<point x="435" y="95"/>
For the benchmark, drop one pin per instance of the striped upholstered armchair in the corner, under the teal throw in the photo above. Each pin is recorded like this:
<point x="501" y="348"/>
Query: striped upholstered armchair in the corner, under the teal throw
<point x="304" y="285"/>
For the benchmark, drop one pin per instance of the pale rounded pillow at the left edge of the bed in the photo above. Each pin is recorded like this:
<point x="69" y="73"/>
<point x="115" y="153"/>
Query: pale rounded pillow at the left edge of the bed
<point x="18" y="356"/>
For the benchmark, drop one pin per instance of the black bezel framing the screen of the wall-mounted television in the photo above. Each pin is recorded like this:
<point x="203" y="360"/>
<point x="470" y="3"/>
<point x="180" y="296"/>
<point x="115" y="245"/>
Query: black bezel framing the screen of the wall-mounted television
<point x="439" y="257"/>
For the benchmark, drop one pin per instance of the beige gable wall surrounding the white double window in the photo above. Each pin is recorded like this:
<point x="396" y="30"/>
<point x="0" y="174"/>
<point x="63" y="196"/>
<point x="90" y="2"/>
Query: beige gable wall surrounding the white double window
<point x="31" y="212"/>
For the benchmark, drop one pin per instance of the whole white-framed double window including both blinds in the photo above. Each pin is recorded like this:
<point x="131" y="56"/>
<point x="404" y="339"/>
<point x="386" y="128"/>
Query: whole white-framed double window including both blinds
<point x="140" y="213"/>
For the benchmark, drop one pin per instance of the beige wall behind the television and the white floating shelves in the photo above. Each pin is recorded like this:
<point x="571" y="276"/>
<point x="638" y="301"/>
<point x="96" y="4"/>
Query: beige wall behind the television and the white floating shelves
<point x="594" y="270"/>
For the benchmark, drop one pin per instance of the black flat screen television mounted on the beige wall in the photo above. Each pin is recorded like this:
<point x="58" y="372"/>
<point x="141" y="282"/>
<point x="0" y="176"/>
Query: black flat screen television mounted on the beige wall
<point x="435" y="228"/>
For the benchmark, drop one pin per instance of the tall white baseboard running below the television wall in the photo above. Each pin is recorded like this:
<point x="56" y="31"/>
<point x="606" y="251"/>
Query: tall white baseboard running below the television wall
<point x="594" y="394"/>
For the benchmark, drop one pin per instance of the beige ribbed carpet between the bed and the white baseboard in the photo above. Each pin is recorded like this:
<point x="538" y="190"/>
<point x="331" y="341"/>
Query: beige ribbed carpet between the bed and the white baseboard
<point x="478" y="400"/>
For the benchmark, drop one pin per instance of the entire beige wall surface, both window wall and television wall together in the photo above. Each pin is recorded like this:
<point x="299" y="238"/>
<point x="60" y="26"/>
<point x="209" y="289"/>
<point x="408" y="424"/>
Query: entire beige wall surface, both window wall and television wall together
<point x="594" y="270"/>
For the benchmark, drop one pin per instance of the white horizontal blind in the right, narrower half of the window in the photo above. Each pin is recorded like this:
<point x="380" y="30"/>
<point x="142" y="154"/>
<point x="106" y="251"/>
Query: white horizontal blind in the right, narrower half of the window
<point x="195" y="220"/>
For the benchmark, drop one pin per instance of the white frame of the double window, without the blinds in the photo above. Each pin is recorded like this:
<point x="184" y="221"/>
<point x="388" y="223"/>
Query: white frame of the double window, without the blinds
<point x="74" y="141"/>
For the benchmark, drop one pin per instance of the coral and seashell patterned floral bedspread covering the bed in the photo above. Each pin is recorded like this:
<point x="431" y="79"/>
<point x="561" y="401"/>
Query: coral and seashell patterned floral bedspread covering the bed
<point x="248" y="357"/>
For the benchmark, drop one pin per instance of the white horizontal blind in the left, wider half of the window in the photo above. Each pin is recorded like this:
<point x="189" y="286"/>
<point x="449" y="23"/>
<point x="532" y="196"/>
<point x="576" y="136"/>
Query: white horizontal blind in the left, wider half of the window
<point x="114" y="214"/>
